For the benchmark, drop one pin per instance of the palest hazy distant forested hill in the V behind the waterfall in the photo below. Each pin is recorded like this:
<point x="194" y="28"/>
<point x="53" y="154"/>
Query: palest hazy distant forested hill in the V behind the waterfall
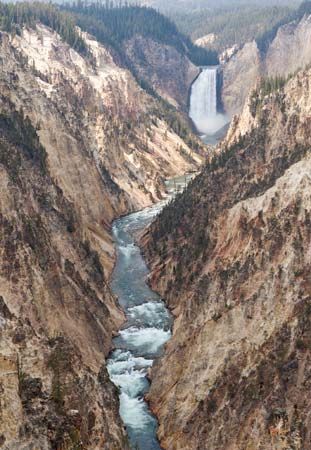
<point x="231" y="22"/>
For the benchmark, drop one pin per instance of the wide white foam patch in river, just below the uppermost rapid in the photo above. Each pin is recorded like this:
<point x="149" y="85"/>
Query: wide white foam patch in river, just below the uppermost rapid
<point x="145" y="340"/>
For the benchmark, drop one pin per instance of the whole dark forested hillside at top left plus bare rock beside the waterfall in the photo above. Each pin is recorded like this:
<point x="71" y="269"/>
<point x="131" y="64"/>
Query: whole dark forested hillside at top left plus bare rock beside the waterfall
<point x="163" y="60"/>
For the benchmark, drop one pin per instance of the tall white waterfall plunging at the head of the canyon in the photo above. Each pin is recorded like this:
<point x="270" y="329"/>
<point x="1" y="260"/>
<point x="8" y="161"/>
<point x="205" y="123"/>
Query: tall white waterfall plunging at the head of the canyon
<point x="203" y="103"/>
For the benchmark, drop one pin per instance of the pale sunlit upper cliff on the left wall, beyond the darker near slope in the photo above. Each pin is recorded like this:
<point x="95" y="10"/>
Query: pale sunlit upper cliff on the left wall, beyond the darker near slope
<point x="101" y="131"/>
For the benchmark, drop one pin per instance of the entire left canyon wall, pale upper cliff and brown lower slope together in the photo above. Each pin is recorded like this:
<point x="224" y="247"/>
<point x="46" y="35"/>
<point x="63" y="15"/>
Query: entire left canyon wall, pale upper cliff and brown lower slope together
<point x="80" y="144"/>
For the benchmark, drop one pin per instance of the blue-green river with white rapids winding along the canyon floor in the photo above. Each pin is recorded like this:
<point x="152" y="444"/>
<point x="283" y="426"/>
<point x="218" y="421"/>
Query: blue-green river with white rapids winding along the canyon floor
<point x="147" y="328"/>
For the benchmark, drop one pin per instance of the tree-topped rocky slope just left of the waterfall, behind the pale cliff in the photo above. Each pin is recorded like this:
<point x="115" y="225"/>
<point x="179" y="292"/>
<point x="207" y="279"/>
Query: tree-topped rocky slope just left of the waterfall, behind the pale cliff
<point x="142" y="39"/>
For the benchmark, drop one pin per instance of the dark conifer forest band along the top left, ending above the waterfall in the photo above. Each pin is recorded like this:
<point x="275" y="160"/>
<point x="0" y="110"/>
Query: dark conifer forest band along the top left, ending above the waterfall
<point x="112" y="23"/>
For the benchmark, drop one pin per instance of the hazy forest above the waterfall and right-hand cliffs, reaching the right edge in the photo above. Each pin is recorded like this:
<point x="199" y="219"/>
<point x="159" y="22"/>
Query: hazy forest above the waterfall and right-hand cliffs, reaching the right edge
<point x="238" y="22"/>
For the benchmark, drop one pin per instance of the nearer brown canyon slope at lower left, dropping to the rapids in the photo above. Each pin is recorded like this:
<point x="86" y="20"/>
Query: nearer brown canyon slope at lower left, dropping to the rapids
<point x="56" y="311"/>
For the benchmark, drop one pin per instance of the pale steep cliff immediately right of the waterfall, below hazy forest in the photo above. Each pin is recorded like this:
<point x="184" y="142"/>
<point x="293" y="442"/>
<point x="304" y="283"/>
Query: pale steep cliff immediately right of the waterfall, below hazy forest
<point x="289" y="51"/>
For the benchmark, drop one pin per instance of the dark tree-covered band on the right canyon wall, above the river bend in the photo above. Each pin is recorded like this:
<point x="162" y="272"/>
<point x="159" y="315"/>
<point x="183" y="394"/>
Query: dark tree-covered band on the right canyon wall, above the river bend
<point x="191" y="216"/>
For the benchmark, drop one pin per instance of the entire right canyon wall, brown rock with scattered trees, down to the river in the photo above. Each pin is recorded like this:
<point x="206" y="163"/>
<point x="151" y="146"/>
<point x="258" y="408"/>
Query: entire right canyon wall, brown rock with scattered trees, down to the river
<point x="232" y="258"/>
